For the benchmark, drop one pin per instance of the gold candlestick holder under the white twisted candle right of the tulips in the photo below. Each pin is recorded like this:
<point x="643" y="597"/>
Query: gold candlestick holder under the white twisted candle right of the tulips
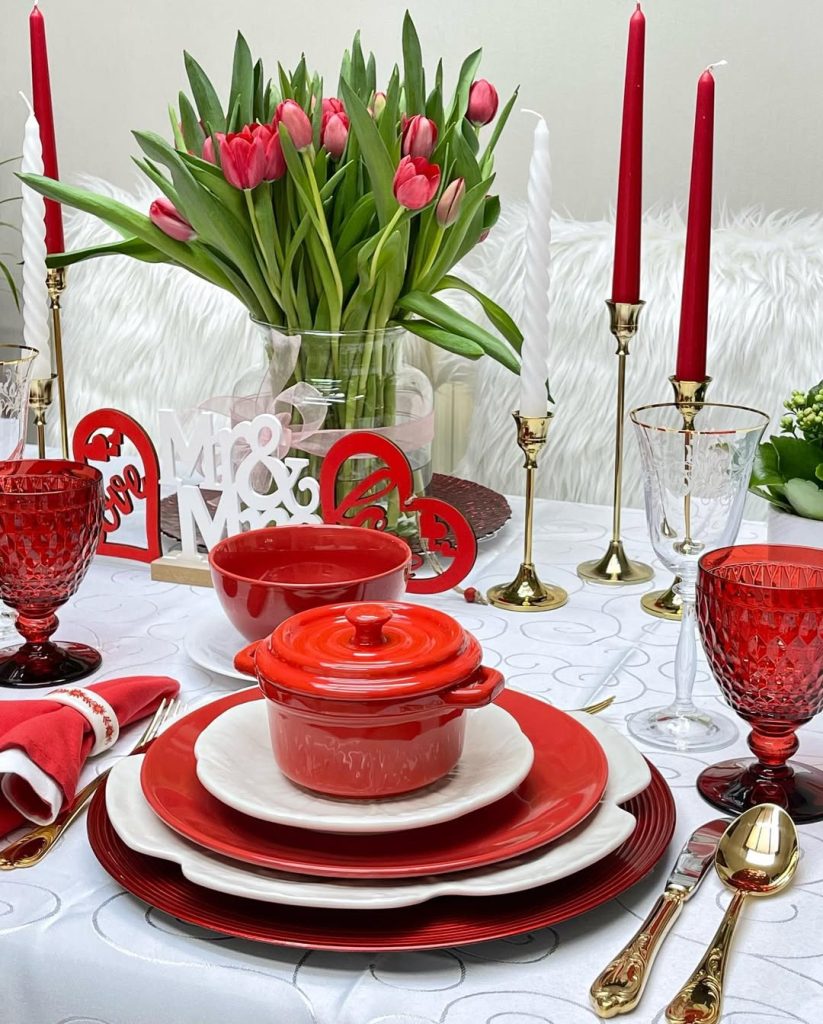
<point x="527" y="592"/>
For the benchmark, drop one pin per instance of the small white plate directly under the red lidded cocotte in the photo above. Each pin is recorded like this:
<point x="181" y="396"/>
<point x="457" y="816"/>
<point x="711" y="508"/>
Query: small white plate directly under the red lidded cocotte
<point x="237" y="766"/>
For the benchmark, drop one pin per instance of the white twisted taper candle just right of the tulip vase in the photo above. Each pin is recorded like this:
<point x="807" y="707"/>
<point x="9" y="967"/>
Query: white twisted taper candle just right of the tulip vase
<point x="535" y="355"/>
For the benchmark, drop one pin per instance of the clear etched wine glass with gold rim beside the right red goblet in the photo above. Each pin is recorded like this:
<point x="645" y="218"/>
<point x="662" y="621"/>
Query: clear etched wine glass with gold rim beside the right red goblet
<point x="697" y="467"/>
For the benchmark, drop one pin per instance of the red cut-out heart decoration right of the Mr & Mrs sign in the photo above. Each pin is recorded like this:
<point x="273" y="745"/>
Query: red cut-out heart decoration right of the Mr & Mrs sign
<point x="438" y="520"/>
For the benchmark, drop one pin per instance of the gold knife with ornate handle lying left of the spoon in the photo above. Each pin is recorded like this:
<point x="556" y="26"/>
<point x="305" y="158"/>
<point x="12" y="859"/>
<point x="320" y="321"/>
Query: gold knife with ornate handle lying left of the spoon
<point x="620" y="988"/>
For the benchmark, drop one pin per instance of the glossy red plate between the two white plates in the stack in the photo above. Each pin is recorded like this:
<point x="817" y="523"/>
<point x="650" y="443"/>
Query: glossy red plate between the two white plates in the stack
<point x="565" y="786"/>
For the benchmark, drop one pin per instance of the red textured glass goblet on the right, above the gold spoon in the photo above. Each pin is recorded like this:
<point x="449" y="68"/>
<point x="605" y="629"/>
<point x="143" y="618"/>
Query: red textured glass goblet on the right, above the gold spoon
<point x="761" y="617"/>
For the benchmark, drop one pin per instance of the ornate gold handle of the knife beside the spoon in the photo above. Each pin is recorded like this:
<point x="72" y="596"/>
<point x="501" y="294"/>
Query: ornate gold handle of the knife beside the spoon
<point x="620" y="988"/>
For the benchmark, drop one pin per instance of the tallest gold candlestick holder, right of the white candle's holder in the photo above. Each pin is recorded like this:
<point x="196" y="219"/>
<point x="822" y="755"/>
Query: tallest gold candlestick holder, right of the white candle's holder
<point x="616" y="568"/>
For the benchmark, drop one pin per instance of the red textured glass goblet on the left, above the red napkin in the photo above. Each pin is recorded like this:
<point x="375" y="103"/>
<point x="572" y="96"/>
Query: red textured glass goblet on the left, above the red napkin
<point x="51" y="520"/>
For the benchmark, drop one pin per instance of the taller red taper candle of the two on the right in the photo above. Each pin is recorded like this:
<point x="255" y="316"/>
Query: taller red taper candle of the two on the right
<point x="626" y="284"/>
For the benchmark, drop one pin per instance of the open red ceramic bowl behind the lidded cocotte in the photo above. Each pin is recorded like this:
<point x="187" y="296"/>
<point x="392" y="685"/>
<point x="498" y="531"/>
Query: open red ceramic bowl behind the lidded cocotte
<point x="266" y="576"/>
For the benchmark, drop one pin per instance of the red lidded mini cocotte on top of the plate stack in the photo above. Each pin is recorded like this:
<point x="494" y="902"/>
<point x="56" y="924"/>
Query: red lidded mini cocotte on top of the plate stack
<point x="368" y="700"/>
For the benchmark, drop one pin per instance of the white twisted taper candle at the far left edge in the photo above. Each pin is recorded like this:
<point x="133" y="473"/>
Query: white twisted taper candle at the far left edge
<point x="35" y="294"/>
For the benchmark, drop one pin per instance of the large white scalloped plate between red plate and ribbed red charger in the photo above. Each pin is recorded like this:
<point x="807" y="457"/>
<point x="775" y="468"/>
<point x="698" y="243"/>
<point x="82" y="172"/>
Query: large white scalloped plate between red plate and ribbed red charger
<point x="599" y="836"/>
